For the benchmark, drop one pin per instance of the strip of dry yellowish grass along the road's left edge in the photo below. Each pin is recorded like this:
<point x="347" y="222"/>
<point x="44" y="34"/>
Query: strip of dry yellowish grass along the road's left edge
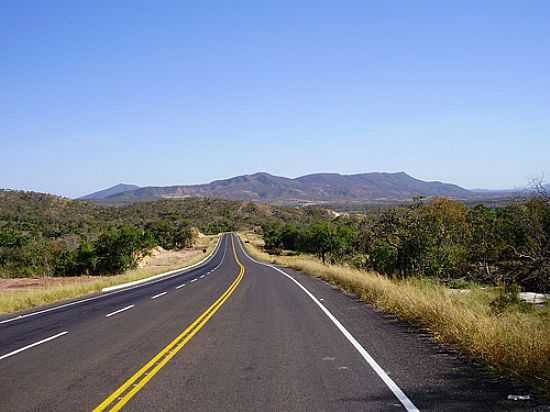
<point x="17" y="300"/>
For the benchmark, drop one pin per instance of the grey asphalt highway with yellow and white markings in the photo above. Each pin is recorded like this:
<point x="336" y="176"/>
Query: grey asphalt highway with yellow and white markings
<point x="234" y="334"/>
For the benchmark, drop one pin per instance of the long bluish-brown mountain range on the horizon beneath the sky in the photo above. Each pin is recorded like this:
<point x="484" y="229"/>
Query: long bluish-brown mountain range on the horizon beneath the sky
<point x="321" y="187"/>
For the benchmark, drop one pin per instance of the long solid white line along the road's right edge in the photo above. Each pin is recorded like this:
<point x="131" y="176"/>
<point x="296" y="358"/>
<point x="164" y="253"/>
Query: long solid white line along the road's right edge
<point x="399" y="394"/>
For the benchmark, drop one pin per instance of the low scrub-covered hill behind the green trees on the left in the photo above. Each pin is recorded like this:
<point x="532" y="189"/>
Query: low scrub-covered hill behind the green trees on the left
<point x="54" y="217"/>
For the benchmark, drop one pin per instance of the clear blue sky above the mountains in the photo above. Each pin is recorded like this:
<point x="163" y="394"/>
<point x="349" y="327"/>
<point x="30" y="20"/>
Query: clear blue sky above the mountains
<point x="158" y="93"/>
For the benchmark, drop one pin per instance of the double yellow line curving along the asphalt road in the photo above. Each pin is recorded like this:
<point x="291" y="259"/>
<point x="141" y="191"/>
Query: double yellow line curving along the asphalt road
<point x="128" y="389"/>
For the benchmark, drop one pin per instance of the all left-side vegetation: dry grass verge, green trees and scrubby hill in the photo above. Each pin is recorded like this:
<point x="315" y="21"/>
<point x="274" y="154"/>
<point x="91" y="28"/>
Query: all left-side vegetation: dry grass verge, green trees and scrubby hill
<point x="53" y="248"/>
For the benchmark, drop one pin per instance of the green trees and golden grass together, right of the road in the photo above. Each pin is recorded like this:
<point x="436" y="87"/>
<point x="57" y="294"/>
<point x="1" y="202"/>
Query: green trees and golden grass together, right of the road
<point x="455" y="271"/>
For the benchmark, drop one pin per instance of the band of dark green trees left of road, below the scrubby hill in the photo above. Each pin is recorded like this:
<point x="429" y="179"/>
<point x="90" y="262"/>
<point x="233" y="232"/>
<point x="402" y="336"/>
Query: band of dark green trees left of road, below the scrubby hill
<point x="112" y="251"/>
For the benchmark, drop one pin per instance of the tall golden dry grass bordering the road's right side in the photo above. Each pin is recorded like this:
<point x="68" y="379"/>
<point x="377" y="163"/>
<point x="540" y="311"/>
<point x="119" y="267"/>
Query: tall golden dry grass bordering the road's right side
<point x="514" y="342"/>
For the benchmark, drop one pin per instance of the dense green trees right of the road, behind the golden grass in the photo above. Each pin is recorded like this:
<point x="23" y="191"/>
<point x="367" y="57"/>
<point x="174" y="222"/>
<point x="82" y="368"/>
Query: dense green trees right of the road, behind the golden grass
<point x="441" y="239"/>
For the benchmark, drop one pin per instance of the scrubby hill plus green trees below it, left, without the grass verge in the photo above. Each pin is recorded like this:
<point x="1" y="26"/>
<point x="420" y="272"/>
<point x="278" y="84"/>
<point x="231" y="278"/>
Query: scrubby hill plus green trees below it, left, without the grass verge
<point x="42" y="234"/>
